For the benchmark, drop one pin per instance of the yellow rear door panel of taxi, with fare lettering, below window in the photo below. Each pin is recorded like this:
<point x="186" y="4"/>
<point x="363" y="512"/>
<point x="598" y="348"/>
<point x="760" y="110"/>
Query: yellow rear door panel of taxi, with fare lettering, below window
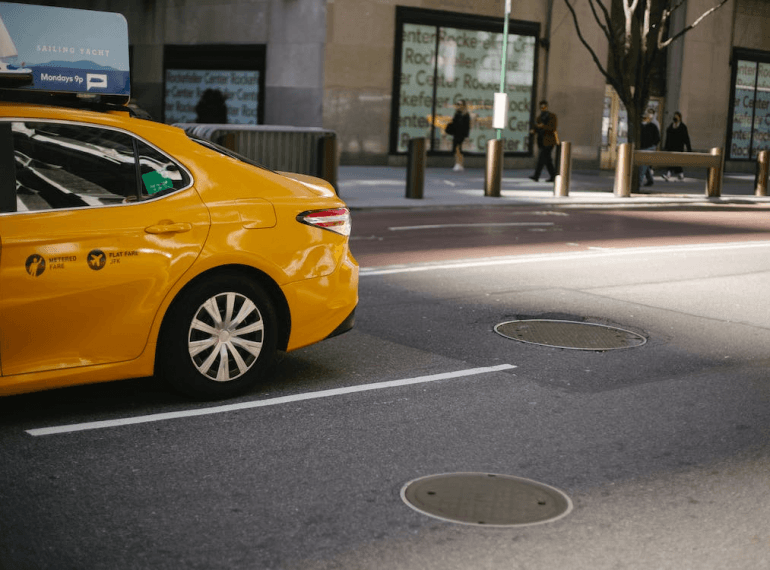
<point x="103" y="278"/>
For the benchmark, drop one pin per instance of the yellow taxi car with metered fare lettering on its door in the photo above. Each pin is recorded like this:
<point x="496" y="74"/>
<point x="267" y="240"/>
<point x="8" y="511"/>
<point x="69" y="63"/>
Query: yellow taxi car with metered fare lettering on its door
<point x="129" y="249"/>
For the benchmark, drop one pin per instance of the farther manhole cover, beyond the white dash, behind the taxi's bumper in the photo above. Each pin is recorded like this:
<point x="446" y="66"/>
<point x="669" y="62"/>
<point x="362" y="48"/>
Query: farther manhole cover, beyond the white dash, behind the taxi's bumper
<point x="569" y="334"/>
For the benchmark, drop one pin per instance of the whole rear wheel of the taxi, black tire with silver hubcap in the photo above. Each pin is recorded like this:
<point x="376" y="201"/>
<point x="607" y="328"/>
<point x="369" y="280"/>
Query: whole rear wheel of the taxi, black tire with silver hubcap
<point x="218" y="338"/>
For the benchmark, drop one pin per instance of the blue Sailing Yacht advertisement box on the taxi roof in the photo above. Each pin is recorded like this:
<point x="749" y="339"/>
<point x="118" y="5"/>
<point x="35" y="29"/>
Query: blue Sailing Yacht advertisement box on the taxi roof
<point x="64" y="50"/>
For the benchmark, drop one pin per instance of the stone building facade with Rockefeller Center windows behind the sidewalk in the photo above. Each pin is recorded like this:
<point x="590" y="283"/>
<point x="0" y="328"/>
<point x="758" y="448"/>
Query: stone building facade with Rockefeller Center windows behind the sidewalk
<point x="380" y="72"/>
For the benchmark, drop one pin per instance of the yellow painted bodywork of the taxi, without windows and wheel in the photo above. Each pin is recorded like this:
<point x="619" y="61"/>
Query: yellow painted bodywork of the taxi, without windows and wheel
<point x="94" y="312"/>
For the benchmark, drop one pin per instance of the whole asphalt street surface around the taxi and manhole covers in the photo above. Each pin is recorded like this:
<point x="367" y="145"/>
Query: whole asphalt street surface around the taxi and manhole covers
<point x="663" y="449"/>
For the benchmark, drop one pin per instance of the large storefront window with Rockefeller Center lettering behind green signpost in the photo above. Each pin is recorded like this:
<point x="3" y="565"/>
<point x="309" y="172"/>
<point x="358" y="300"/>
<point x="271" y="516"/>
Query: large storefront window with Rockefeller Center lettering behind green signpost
<point x="442" y="64"/>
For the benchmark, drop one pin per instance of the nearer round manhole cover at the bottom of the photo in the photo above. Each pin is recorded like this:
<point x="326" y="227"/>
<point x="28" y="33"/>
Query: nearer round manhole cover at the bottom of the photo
<point x="486" y="499"/>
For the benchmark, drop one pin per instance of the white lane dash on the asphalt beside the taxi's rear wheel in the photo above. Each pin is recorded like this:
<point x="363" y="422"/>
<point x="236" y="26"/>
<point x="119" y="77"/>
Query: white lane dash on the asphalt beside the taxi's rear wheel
<point x="263" y="403"/>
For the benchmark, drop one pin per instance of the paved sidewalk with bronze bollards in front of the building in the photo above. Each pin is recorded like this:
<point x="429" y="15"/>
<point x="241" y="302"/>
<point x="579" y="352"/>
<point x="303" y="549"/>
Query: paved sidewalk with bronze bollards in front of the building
<point x="385" y="187"/>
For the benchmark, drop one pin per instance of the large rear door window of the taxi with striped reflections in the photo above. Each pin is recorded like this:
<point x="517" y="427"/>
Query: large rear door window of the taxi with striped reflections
<point x="60" y="165"/>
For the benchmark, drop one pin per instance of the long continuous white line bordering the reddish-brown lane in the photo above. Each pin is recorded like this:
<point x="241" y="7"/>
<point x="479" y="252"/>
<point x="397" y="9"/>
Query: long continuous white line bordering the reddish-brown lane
<point x="562" y="256"/>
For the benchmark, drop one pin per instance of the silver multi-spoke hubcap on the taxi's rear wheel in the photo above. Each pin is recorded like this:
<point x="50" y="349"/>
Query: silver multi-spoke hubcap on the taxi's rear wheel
<point x="225" y="337"/>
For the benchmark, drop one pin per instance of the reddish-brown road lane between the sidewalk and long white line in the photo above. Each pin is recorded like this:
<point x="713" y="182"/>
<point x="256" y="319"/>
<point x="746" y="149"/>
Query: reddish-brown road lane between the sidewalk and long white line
<point x="382" y="237"/>
